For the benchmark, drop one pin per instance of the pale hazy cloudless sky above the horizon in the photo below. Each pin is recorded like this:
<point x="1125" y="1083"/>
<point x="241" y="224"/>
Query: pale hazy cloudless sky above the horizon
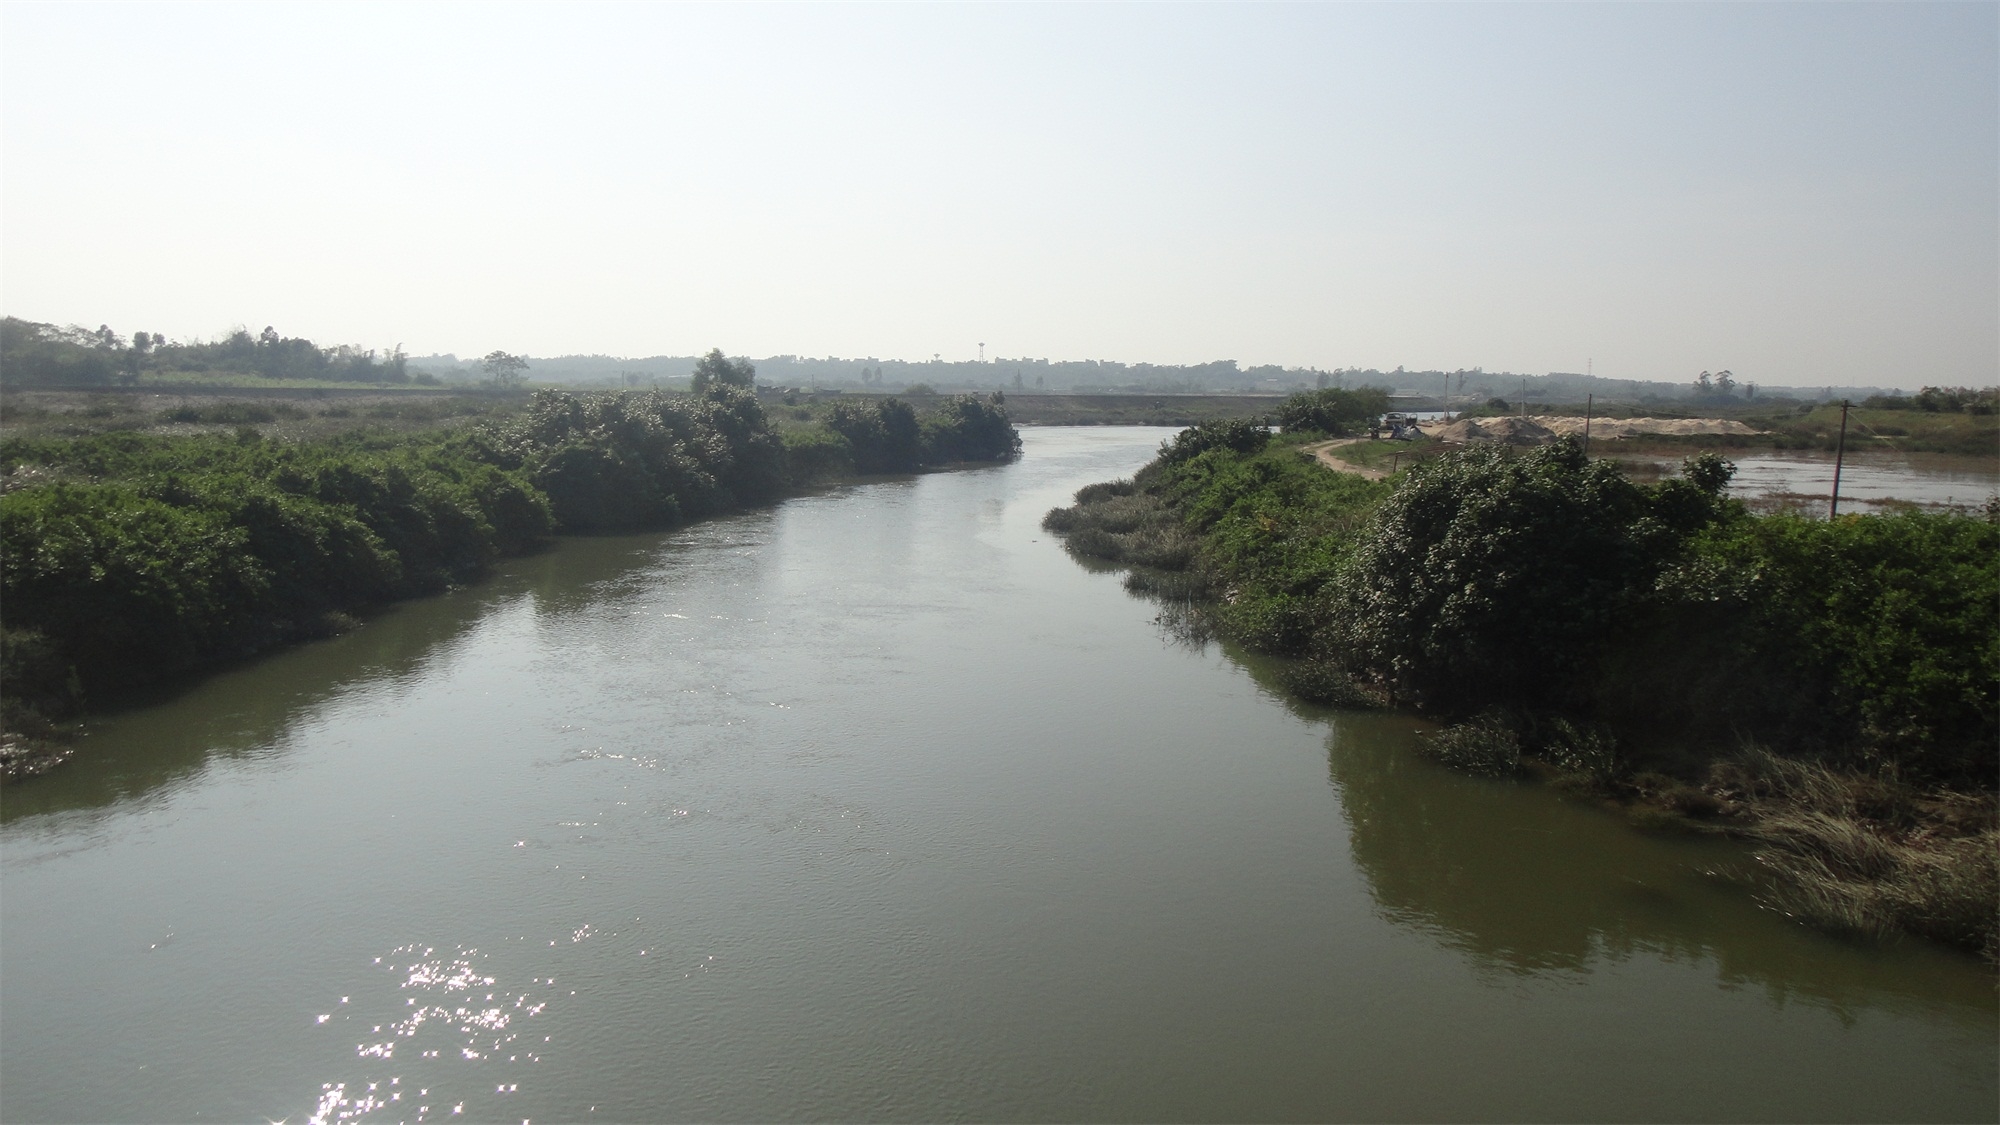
<point x="1799" y="193"/>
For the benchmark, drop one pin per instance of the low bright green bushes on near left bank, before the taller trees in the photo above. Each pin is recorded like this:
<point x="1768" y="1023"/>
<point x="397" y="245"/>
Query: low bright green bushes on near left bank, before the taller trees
<point x="163" y="555"/>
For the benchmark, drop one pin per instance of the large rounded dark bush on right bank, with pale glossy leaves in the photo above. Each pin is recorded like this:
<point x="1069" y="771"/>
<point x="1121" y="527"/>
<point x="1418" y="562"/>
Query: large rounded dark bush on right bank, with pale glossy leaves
<point x="1499" y="580"/>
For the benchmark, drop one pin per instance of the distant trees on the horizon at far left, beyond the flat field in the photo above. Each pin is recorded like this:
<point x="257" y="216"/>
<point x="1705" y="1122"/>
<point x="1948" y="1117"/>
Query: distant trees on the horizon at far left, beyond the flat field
<point x="51" y="355"/>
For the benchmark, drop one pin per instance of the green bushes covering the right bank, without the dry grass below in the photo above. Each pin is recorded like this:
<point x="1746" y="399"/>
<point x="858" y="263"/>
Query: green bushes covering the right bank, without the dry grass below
<point x="1587" y="610"/>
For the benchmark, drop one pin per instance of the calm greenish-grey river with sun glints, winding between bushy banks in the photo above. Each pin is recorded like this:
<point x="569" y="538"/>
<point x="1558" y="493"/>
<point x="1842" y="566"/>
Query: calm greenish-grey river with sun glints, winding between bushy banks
<point x="877" y="806"/>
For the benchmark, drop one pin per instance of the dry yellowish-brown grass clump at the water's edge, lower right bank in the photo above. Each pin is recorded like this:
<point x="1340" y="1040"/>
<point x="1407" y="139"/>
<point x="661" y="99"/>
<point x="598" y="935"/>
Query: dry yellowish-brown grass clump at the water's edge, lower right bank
<point x="1869" y="856"/>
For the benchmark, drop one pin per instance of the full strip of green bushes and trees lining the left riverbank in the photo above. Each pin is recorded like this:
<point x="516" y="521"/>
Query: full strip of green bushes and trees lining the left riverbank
<point x="133" y="557"/>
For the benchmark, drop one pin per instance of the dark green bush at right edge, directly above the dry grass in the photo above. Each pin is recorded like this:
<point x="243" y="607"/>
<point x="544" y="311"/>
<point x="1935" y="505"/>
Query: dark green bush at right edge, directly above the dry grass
<point x="1869" y="636"/>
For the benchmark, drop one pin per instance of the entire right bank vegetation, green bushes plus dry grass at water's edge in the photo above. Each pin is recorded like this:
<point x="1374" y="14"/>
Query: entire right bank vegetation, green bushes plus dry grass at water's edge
<point x="1823" y="688"/>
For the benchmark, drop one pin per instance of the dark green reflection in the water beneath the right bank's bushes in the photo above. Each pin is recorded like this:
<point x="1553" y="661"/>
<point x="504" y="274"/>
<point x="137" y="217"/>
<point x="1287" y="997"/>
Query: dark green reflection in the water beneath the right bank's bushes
<point x="1527" y="882"/>
